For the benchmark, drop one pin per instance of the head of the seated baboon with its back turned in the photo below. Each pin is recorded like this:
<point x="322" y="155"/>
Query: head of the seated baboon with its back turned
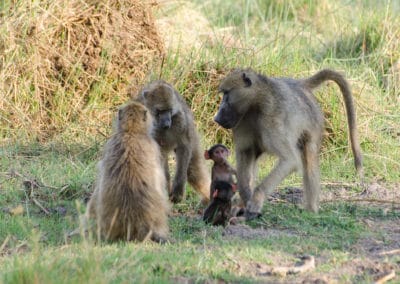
<point x="134" y="117"/>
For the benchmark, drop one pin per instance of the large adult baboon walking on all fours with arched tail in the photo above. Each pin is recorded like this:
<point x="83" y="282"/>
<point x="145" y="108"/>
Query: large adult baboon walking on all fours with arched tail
<point x="279" y="116"/>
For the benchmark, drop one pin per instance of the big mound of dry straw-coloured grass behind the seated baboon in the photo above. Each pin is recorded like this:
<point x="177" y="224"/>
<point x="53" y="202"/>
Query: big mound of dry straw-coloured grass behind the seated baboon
<point x="65" y="64"/>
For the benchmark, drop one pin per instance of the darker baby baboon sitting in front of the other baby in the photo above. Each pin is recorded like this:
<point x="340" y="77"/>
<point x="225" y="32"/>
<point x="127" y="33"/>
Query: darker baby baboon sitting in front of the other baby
<point x="219" y="210"/>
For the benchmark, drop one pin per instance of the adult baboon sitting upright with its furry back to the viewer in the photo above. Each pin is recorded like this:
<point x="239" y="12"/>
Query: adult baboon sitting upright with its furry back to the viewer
<point x="129" y="201"/>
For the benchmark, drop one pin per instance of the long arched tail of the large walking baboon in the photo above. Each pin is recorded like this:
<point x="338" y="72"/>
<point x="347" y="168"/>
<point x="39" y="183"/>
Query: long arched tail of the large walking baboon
<point x="327" y="74"/>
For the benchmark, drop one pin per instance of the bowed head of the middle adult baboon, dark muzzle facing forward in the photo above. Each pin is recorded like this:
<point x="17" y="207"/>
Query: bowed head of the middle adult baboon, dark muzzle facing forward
<point x="159" y="97"/>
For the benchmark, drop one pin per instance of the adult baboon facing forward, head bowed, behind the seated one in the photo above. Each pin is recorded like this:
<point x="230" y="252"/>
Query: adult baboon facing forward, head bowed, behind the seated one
<point x="175" y="132"/>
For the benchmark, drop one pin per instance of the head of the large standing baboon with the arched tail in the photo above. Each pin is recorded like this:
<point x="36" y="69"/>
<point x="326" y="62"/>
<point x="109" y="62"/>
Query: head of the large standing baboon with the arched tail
<point x="238" y="95"/>
